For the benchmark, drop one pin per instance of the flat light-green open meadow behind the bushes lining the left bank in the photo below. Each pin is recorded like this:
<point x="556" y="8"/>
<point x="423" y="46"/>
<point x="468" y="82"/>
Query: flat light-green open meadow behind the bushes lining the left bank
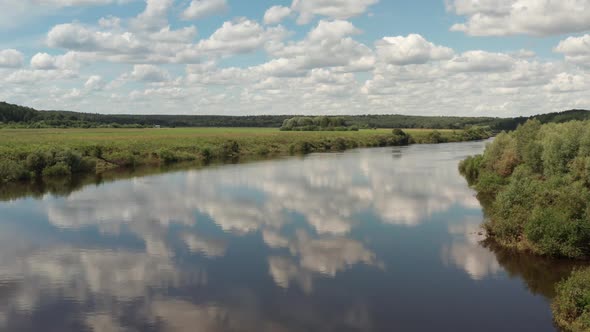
<point x="146" y="142"/>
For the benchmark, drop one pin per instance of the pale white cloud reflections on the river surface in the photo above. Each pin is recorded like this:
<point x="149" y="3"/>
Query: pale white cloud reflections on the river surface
<point x="305" y="211"/>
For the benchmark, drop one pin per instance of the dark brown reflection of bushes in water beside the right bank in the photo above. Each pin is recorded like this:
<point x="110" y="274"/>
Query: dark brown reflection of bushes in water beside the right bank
<point x="539" y="273"/>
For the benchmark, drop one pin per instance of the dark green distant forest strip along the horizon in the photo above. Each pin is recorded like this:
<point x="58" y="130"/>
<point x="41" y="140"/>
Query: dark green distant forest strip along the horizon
<point x="16" y="116"/>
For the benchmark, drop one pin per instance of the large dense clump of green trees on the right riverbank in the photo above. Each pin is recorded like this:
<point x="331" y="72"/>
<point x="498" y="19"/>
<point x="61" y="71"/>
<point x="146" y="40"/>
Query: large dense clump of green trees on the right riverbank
<point x="537" y="179"/>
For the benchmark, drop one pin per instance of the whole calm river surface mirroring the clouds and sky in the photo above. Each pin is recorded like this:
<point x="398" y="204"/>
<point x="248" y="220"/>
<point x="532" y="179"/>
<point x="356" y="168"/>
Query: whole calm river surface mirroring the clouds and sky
<point x="381" y="239"/>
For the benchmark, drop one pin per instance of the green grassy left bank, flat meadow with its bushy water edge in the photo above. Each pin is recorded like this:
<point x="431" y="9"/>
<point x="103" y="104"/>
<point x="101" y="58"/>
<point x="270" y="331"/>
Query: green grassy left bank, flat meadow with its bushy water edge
<point x="27" y="154"/>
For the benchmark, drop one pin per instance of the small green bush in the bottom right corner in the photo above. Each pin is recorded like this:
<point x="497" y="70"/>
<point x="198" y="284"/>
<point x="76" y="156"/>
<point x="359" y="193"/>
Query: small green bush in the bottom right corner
<point x="571" y="306"/>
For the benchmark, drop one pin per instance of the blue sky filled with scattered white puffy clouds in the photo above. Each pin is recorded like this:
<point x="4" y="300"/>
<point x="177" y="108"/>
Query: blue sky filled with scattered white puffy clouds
<point x="240" y="57"/>
